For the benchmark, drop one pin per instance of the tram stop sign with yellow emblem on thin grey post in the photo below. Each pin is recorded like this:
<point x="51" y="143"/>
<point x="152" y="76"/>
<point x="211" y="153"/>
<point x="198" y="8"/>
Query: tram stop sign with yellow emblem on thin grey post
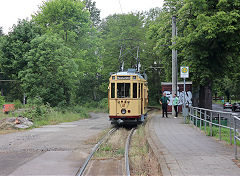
<point x="184" y="74"/>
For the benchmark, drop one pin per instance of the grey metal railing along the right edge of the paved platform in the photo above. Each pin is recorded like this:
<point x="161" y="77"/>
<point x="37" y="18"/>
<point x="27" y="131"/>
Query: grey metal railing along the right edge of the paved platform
<point x="228" y="120"/>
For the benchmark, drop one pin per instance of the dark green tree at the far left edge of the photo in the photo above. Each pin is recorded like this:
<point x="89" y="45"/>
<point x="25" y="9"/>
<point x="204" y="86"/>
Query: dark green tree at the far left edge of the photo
<point x="12" y="50"/>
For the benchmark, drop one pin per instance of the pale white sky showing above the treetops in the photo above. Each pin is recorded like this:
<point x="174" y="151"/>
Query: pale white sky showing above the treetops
<point x="12" y="10"/>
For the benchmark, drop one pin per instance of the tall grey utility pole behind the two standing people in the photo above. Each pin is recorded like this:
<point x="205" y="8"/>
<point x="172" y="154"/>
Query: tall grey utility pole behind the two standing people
<point x="174" y="60"/>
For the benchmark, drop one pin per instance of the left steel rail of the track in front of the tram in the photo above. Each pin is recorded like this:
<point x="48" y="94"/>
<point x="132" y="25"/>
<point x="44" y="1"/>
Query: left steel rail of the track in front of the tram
<point x="95" y="148"/>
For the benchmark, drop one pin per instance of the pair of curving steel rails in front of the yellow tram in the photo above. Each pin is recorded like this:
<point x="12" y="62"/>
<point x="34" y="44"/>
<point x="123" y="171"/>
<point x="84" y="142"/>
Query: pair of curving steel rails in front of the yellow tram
<point x="96" y="147"/>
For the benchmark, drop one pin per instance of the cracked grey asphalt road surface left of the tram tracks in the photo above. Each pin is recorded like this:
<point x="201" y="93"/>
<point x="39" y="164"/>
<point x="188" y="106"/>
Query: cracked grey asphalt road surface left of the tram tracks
<point x="50" y="150"/>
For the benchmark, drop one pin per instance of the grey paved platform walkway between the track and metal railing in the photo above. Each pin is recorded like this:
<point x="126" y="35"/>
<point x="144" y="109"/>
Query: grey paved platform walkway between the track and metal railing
<point x="188" y="152"/>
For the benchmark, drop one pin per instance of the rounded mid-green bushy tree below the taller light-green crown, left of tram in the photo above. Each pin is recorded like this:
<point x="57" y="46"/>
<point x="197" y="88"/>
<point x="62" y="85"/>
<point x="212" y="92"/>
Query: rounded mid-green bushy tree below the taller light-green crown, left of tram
<point x="51" y="72"/>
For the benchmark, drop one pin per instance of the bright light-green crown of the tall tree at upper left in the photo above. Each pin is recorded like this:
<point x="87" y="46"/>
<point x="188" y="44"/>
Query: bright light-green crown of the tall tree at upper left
<point x="67" y="18"/>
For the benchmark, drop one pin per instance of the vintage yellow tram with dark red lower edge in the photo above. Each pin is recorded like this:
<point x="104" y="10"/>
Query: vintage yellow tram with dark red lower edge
<point x="127" y="97"/>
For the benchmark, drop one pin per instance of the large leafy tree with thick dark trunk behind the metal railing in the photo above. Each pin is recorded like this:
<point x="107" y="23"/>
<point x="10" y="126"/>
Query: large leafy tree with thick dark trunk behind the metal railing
<point x="208" y="41"/>
